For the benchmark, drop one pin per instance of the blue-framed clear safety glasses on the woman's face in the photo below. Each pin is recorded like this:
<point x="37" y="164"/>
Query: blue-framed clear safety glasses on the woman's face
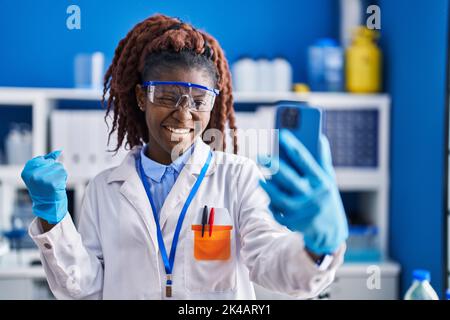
<point x="173" y="95"/>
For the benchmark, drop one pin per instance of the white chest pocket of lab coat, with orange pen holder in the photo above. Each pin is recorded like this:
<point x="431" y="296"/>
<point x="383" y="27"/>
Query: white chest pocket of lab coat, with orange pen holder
<point x="211" y="259"/>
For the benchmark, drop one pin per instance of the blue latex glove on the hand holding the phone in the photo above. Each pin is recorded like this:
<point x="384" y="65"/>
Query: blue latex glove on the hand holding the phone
<point x="304" y="196"/>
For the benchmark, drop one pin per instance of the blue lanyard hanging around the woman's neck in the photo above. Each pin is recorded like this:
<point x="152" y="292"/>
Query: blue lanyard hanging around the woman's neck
<point x="168" y="263"/>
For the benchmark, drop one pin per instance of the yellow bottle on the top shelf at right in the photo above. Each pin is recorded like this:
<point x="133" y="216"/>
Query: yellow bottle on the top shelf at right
<point x="363" y="62"/>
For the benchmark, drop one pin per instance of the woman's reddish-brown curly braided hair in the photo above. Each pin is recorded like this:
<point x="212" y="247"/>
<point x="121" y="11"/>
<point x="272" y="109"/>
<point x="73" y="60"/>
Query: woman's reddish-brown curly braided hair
<point x="150" y="47"/>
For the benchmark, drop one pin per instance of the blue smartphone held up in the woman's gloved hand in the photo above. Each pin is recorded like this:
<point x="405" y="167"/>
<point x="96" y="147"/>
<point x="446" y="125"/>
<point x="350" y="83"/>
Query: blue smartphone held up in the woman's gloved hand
<point x="303" y="121"/>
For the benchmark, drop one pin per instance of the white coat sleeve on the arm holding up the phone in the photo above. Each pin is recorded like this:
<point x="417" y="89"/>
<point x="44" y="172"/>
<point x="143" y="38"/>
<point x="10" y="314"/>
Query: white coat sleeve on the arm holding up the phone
<point x="276" y="256"/>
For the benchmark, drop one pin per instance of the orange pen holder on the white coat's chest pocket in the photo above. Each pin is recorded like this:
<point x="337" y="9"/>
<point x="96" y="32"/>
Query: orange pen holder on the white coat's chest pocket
<point x="214" y="247"/>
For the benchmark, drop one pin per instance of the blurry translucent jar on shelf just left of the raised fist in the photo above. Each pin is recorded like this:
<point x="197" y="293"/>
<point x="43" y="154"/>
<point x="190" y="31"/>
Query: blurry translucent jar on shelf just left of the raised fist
<point x="18" y="144"/>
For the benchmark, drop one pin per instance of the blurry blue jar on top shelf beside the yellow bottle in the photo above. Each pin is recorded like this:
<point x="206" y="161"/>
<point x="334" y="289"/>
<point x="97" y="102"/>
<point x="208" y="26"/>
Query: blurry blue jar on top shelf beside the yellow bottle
<point x="325" y="66"/>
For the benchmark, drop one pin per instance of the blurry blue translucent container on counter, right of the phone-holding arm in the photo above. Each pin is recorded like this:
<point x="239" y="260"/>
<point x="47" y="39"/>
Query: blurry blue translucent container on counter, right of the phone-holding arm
<point x="363" y="244"/>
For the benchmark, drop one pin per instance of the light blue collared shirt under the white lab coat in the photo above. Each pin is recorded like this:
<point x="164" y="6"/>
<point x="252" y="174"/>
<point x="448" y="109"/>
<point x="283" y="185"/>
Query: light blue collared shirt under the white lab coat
<point x="161" y="178"/>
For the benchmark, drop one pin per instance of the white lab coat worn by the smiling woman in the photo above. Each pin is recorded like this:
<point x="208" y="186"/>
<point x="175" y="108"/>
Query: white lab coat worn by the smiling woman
<point x="114" y="253"/>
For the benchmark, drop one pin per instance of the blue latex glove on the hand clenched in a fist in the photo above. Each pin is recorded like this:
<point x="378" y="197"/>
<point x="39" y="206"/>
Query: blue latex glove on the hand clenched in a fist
<point x="46" y="182"/>
